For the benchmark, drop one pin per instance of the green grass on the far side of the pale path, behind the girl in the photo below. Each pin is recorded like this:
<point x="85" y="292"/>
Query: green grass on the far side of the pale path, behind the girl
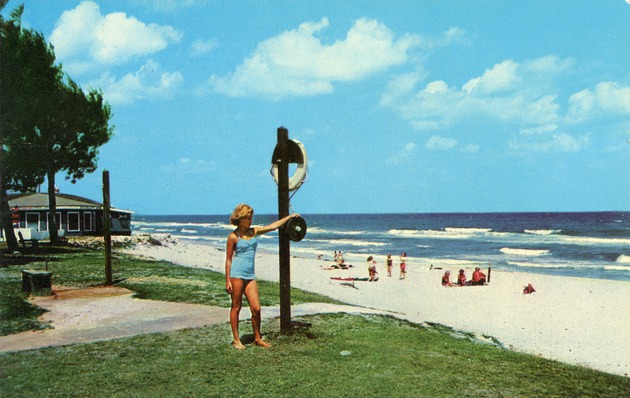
<point x="155" y="280"/>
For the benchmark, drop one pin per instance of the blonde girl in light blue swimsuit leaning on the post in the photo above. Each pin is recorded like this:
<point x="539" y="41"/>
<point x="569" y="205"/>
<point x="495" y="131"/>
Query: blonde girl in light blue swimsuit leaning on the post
<point x="239" y="269"/>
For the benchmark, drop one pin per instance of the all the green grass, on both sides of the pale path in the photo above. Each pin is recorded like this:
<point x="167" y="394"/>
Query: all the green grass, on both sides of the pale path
<point x="338" y="356"/>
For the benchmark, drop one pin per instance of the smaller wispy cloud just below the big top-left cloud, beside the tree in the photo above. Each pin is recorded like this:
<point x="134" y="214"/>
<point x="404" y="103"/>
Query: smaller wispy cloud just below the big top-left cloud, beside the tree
<point x="148" y="82"/>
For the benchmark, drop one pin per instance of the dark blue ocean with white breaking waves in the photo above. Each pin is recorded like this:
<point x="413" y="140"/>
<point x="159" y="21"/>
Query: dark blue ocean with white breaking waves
<point x="587" y="245"/>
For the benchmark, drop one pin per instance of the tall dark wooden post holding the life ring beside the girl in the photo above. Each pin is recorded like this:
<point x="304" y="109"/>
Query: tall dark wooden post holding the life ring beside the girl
<point x="284" y="243"/>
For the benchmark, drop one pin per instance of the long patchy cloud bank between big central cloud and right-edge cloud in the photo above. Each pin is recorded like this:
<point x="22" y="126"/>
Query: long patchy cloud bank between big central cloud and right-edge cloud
<point x="508" y="92"/>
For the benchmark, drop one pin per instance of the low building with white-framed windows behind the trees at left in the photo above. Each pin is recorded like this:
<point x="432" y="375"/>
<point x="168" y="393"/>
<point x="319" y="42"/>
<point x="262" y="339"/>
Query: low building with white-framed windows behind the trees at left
<point x="76" y="216"/>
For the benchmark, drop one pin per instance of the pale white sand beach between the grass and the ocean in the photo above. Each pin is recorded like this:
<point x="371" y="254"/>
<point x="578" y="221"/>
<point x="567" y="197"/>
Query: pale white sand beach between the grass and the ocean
<point x="573" y="320"/>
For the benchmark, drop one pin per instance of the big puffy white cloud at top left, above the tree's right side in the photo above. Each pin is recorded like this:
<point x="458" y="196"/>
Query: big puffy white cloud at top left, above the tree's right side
<point x="106" y="39"/>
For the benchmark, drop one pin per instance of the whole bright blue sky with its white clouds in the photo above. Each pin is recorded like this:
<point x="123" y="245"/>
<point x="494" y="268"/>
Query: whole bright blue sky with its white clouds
<point x="403" y="106"/>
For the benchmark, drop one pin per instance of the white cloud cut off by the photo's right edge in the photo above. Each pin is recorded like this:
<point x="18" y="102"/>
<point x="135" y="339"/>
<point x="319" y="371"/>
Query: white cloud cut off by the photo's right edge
<point x="605" y="99"/>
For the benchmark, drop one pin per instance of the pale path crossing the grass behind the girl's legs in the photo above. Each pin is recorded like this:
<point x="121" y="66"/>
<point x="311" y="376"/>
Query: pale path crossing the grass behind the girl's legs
<point x="103" y="313"/>
